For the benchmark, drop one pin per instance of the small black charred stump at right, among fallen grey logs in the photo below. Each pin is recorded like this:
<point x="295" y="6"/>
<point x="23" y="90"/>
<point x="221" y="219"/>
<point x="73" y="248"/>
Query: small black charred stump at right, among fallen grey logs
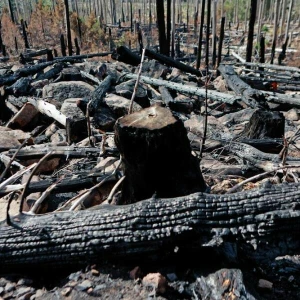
<point x="264" y="124"/>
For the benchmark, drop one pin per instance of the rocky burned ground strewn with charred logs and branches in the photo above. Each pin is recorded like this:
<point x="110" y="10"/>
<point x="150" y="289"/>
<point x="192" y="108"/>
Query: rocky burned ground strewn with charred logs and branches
<point x="58" y="119"/>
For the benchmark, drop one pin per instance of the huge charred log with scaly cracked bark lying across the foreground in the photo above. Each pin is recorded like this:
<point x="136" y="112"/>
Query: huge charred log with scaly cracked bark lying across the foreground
<point x="264" y="223"/>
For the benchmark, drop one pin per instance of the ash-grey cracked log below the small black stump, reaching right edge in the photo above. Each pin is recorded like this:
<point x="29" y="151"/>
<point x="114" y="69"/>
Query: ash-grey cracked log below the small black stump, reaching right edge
<point x="262" y="160"/>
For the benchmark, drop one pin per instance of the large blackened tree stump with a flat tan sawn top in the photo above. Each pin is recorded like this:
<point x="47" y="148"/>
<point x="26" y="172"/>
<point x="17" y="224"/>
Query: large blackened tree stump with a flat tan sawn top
<point x="156" y="155"/>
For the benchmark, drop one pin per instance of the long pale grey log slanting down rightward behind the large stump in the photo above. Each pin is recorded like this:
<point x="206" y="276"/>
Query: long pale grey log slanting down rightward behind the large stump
<point x="186" y="89"/>
